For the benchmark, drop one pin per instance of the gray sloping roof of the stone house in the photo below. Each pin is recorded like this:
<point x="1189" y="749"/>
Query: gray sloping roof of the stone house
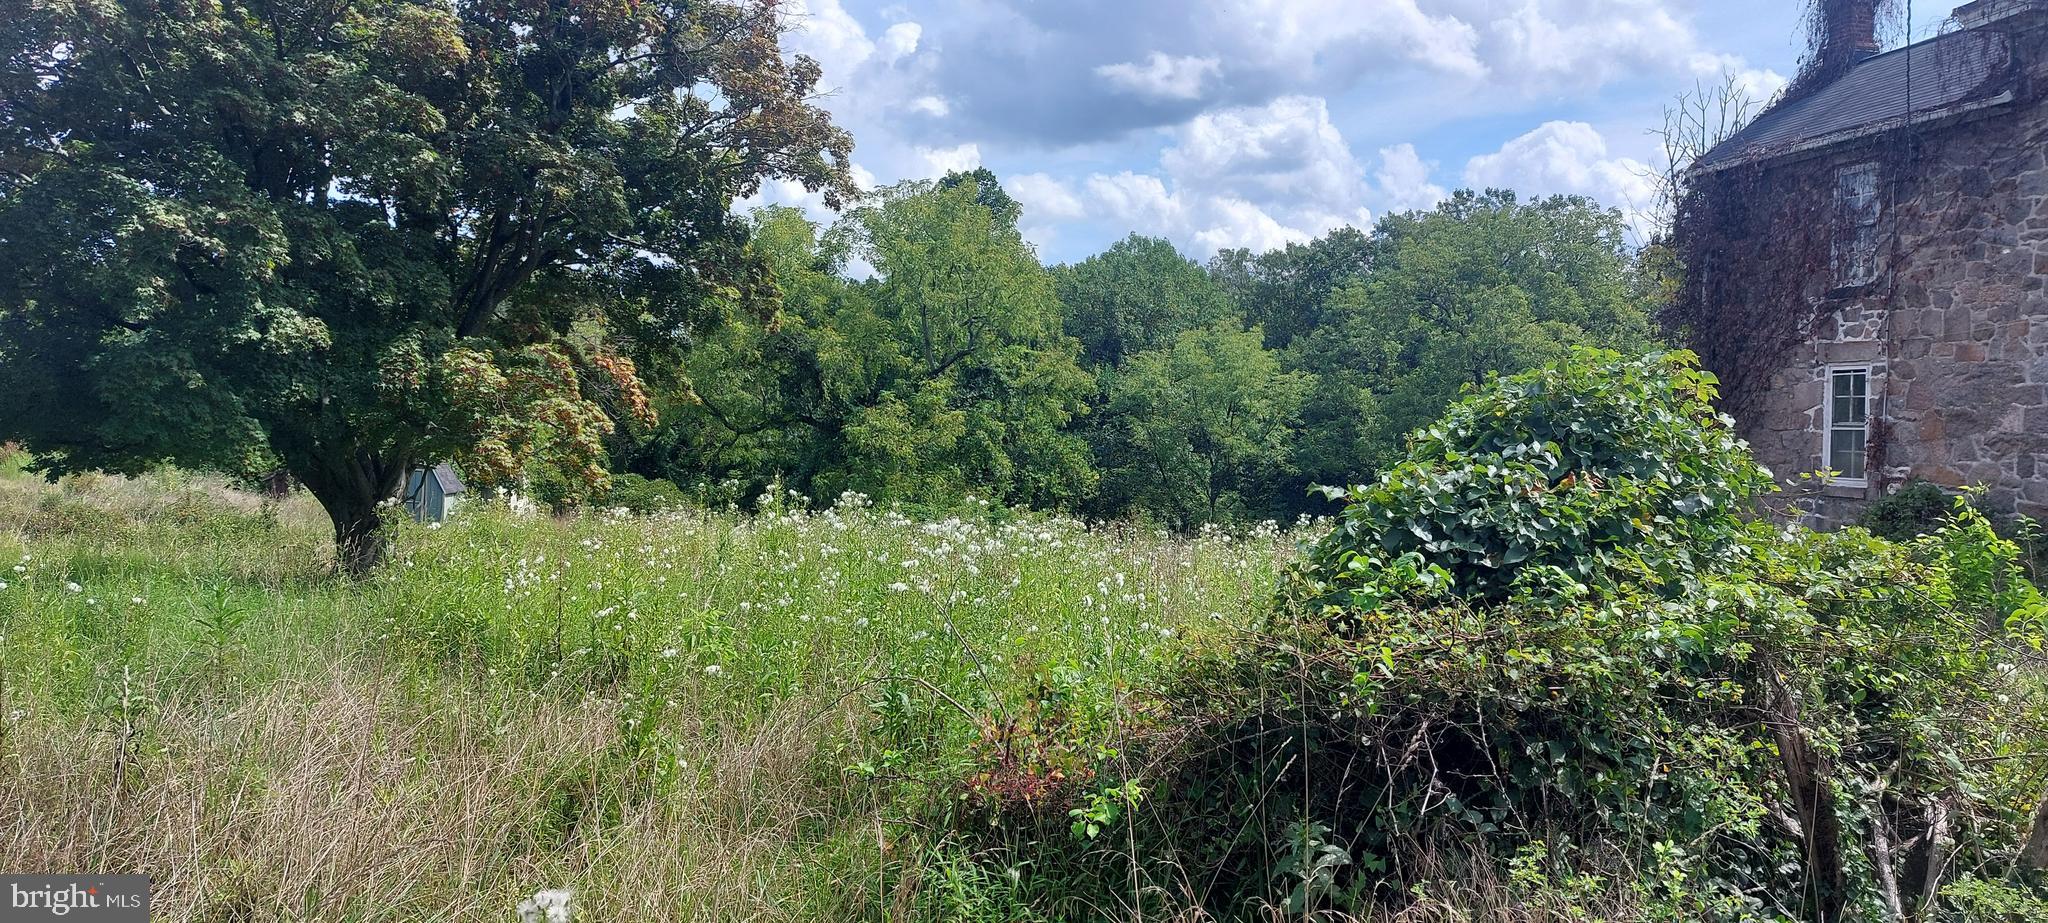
<point x="1945" y="73"/>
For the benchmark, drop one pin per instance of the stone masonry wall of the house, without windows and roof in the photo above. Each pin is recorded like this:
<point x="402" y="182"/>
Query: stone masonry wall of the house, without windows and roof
<point x="1955" y="326"/>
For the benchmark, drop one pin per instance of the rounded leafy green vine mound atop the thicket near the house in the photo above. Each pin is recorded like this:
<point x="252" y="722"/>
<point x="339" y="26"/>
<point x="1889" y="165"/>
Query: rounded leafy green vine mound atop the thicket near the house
<point x="1588" y="472"/>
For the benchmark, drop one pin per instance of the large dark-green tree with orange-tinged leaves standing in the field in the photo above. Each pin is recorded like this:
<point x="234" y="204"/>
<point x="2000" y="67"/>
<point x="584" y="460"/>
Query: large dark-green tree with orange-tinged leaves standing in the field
<point x="353" y="236"/>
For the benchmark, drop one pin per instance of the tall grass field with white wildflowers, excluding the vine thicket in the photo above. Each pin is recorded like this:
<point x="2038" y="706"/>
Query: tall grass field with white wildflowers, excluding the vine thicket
<point x="681" y="717"/>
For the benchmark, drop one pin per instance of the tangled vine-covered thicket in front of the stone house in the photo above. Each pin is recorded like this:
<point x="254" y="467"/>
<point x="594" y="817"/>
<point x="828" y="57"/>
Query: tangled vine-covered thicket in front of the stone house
<point x="1549" y="658"/>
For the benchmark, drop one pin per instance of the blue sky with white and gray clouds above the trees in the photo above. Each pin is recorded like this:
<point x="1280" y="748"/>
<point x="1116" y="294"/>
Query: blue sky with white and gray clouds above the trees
<point x="1254" y="124"/>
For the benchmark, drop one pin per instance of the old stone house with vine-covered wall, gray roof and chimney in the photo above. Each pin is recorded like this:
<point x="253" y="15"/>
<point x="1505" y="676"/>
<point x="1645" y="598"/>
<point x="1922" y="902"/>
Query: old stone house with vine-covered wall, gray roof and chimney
<point x="1869" y="261"/>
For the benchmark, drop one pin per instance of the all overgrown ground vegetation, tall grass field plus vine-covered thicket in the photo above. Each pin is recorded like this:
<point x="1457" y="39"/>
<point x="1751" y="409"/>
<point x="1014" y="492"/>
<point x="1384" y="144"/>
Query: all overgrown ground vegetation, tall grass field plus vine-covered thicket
<point x="1547" y="670"/>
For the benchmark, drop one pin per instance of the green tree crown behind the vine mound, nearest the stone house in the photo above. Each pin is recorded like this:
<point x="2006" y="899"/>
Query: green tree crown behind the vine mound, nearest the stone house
<point x="1480" y="288"/>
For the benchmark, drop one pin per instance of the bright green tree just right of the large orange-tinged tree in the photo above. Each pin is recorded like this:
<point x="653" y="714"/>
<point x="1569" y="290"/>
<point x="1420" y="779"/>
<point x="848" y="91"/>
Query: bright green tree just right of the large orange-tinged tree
<point x="945" y="376"/>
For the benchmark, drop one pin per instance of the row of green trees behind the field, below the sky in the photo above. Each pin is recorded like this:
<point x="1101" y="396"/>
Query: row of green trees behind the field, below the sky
<point x="1136" y="384"/>
